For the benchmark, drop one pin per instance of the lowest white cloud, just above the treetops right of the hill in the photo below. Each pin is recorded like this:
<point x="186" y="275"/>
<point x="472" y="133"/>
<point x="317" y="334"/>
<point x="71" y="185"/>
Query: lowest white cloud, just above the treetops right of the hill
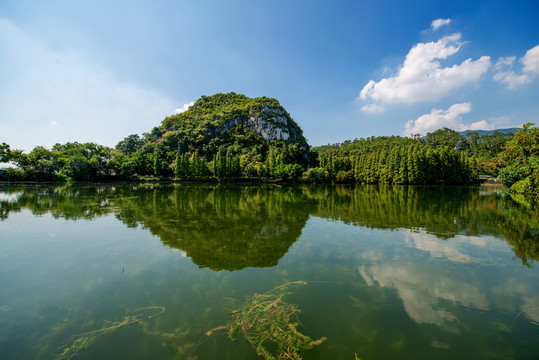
<point x="450" y="118"/>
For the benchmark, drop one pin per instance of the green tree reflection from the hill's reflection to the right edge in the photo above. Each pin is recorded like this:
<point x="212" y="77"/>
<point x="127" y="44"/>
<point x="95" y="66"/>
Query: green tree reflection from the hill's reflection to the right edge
<point x="441" y="211"/>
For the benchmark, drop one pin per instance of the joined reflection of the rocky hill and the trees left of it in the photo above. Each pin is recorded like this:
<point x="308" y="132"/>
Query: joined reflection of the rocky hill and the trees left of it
<point x="220" y="227"/>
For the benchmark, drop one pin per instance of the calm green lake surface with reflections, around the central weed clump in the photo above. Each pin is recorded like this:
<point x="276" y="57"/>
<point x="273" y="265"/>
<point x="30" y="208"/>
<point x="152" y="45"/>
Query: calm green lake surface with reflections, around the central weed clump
<point x="392" y="272"/>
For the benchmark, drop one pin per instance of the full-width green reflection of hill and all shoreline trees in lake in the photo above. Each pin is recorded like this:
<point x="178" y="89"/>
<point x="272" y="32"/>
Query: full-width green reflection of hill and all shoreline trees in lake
<point x="233" y="227"/>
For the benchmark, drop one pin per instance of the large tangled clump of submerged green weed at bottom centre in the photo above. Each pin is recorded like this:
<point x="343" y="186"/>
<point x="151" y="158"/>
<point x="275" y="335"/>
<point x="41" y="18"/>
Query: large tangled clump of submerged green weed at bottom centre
<point x="270" y="325"/>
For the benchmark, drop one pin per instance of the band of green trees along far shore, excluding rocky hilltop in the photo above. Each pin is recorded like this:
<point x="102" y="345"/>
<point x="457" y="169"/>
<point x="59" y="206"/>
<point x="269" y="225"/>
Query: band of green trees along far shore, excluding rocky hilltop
<point x="376" y="160"/>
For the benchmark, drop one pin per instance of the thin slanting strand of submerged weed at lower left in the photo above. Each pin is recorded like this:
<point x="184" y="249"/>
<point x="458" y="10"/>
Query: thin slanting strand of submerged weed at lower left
<point x="82" y="341"/>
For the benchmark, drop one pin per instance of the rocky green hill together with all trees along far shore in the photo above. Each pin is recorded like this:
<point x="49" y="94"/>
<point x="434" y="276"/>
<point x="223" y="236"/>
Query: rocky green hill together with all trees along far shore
<point x="230" y="137"/>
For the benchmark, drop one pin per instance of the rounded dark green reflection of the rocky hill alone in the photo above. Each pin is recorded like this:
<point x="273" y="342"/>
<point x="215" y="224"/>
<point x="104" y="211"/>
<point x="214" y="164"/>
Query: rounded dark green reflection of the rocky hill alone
<point x="222" y="228"/>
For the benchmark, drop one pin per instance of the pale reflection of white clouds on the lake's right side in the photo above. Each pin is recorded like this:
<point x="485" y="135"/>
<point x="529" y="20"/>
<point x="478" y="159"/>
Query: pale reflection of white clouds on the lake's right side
<point x="458" y="270"/>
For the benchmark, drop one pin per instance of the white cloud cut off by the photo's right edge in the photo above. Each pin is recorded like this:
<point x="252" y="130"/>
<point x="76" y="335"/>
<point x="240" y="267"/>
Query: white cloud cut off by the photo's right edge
<point x="530" y="68"/>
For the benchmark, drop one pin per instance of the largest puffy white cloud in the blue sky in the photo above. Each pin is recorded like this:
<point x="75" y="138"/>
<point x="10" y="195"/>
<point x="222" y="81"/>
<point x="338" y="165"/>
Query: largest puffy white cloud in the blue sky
<point x="421" y="77"/>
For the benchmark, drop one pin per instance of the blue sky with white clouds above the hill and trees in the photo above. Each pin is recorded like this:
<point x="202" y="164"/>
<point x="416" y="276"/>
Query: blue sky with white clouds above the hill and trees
<point x="98" y="71"/>
